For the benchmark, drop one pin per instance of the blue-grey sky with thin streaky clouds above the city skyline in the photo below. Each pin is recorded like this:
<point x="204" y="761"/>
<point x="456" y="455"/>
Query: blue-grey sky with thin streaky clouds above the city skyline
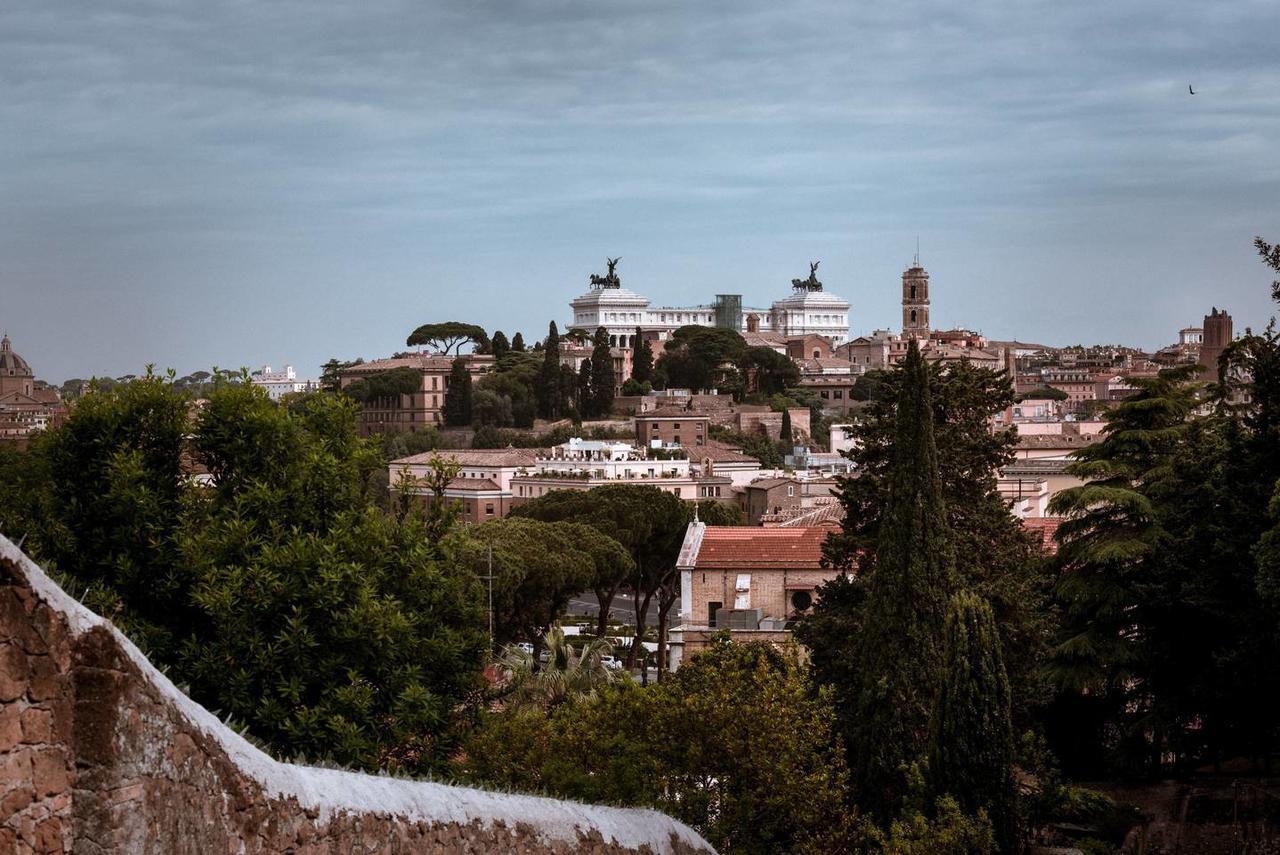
<point x="243" y="184"/>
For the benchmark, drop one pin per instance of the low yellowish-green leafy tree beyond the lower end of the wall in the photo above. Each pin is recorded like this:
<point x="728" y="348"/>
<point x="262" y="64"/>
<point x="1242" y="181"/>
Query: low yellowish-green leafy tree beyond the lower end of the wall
<point x="738" y="744"/>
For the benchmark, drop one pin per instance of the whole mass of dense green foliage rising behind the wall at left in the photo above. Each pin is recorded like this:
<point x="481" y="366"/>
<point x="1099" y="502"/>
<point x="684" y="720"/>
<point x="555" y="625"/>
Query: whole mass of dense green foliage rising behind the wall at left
<point x="281" y="592"/>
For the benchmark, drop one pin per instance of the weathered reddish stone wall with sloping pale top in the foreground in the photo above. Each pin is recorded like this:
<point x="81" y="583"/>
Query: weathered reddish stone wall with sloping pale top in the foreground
<point x="100" y="753"/>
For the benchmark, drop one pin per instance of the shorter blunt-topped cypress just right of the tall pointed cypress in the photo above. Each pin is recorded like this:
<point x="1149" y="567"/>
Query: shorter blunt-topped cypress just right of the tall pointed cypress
<point x="971" y="740"/>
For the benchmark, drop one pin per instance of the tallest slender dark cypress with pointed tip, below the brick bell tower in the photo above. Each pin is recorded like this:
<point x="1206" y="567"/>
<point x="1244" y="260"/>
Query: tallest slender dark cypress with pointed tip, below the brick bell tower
<point x="907" y="607"/>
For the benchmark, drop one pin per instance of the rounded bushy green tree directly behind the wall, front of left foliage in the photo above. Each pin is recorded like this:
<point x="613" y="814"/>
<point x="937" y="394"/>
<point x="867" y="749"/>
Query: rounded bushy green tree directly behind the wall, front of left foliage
<point x="354" y="643"/>
